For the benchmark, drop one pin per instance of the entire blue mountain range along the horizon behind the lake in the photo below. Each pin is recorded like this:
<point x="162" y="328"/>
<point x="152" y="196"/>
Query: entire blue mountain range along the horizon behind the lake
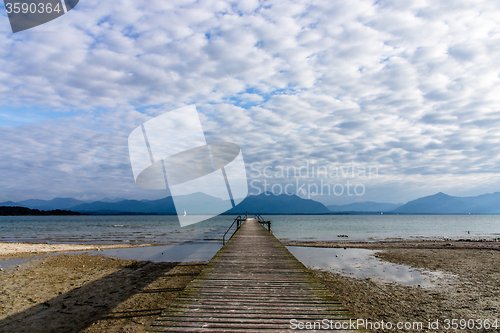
<point x="267" y="203"/>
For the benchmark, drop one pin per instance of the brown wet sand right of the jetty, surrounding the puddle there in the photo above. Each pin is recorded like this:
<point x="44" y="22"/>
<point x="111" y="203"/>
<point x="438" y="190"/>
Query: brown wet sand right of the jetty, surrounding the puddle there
<point x="473" y="294"/>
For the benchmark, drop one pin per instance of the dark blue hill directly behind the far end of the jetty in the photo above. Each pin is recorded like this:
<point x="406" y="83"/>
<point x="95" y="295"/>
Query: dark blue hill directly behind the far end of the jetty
<point x="268" y="203"/>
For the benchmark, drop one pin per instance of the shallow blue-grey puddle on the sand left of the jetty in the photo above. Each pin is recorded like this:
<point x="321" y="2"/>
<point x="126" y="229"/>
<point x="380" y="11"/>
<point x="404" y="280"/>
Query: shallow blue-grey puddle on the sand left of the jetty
<point x="166" y="253"/>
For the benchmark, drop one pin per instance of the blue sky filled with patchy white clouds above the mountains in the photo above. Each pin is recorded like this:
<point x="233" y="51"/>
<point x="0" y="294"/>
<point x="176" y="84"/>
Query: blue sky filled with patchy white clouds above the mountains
<point x="408" y="90"/>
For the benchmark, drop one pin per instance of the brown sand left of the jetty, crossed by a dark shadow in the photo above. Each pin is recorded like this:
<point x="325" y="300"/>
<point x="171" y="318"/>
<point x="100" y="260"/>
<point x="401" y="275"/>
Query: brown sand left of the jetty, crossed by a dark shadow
<point x="89" y="293"/>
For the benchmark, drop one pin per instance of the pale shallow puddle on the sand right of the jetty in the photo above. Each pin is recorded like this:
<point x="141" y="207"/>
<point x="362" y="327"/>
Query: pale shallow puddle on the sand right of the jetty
<point x="361" y="263"/>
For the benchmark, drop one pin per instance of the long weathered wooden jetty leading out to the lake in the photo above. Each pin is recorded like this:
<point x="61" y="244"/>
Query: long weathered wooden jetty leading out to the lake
<point x="254" y="284"/>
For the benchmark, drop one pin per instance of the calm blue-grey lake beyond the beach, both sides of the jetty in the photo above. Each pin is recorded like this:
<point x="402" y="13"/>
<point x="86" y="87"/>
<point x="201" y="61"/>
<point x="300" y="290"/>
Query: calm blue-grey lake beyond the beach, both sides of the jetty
<point x="166" y="229"/>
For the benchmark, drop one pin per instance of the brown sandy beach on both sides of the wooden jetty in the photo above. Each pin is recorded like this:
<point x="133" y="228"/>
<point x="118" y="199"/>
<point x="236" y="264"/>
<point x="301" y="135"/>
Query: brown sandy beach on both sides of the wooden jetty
<point x="93" y="293"/>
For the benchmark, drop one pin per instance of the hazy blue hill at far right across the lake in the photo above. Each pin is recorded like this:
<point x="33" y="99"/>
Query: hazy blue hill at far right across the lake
<point x="441" y="203"/>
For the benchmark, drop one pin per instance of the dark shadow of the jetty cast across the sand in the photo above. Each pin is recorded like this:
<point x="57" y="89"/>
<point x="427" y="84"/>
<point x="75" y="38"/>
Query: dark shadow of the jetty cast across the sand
<point x="79" y="308"/>
